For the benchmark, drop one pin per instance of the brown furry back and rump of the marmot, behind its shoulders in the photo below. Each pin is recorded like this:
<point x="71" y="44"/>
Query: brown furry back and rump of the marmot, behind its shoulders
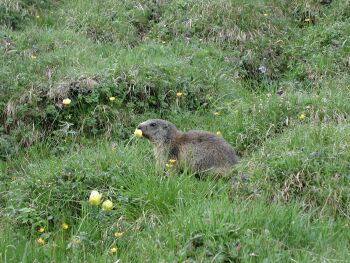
<point x="205" y="151"/>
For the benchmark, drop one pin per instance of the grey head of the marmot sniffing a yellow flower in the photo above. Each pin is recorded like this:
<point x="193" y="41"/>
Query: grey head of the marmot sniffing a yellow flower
<point x="158" y="131"/>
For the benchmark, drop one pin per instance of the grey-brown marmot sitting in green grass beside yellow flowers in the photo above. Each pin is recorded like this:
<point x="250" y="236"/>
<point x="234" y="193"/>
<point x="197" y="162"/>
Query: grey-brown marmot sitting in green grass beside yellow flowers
<point x="200" y="151"/>
